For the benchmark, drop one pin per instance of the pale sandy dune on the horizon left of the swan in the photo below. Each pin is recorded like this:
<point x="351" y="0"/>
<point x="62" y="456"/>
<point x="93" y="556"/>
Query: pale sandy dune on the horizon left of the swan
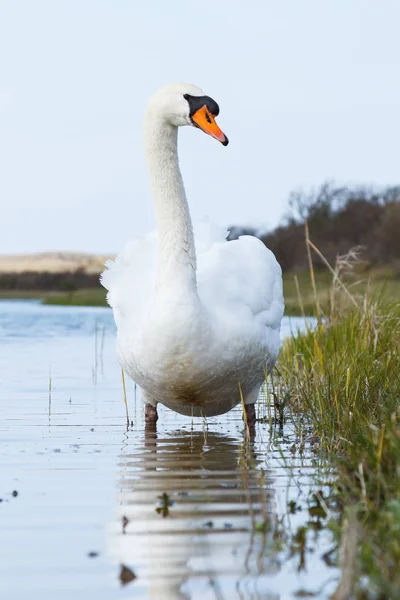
<point x="53" y="262"/>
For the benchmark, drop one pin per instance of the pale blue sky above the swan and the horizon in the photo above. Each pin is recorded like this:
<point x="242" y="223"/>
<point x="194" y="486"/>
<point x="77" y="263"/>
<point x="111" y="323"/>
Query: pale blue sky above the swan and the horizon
<point x="308" y="90"/>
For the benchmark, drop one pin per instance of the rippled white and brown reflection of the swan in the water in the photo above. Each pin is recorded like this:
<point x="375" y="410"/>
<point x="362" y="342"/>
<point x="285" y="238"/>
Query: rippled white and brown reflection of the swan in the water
<point x="212" y="494"/>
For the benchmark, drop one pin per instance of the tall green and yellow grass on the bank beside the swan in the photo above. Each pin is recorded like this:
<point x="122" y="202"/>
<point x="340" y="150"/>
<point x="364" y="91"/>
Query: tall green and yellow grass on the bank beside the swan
<point x="343" y="378"/>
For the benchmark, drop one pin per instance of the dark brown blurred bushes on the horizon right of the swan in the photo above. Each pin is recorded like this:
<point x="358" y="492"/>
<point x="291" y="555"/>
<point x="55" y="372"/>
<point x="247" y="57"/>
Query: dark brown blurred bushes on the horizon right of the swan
<point x="340" y="218"/>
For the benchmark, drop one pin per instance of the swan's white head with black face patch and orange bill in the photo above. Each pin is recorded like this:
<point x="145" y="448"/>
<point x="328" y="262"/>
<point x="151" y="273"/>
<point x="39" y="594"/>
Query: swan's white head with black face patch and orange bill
<point x="183" y="104"/>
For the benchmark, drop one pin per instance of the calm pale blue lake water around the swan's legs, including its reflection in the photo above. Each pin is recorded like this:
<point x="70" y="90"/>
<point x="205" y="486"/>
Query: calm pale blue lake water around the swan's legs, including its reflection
<point x="80" y="491"/>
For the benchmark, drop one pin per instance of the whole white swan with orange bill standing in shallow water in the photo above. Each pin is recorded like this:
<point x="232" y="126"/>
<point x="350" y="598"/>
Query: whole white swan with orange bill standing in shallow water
<point x="198" y="318"/>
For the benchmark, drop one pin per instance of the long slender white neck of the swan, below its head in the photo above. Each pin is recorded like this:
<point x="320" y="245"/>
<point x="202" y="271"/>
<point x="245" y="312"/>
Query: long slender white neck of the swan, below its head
<point x="176" y="248"/>
